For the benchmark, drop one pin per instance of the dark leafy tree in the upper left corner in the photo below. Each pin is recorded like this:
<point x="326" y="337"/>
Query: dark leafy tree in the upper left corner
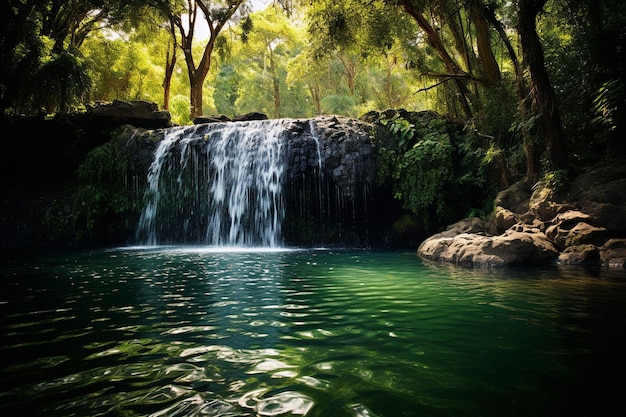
<point x="40" y="41"/>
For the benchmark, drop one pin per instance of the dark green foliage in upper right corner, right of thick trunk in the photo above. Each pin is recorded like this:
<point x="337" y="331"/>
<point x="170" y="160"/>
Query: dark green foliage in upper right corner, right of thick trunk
<point x="585" y="49"/>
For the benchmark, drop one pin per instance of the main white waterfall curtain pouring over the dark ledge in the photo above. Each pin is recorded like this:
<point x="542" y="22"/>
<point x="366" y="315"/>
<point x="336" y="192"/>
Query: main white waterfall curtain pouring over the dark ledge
<point x="218" y="184"/>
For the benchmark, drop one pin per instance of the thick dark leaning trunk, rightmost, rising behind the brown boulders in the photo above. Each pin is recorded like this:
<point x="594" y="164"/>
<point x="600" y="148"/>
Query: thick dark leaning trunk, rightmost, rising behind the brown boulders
<point x="544" y="100"/>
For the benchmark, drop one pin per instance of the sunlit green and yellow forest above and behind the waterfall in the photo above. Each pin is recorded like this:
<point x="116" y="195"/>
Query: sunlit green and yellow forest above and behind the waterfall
<point x="535" y="88"/>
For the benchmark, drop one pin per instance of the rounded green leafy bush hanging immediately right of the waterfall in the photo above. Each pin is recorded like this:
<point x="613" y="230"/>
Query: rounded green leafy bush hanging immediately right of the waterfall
<point x="433" y="168"/>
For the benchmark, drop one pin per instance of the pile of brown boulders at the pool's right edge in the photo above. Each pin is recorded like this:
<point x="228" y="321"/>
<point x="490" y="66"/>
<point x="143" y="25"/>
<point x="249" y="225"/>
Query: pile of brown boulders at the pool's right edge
<point x="584" y="224"/>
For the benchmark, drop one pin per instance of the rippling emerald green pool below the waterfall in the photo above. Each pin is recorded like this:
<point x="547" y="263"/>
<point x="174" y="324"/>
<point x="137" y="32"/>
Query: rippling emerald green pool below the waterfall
<point x="207" y="332"/>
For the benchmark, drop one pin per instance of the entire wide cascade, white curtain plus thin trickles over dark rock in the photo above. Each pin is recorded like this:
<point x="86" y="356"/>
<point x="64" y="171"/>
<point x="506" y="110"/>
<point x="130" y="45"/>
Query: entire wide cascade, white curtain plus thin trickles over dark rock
<point x="262" y="183"/>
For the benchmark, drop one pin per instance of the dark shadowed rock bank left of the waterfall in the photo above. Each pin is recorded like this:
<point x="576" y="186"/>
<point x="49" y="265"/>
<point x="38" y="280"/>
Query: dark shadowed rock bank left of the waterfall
<point x="39" y="161"/>
